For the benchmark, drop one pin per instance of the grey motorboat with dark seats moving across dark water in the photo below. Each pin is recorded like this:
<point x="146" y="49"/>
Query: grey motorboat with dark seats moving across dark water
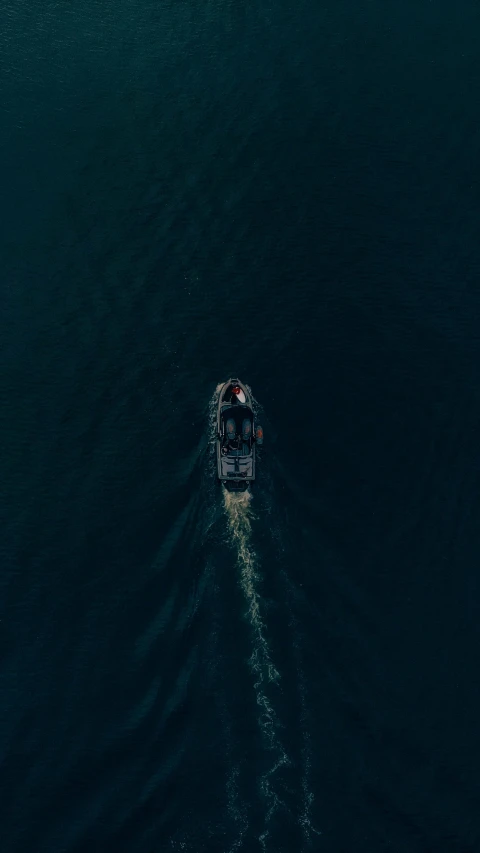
<point x="237" y="435"/>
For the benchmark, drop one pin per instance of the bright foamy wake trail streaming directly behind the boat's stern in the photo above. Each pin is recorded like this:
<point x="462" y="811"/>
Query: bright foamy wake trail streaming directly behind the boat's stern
<point x="238" y="509"/>
